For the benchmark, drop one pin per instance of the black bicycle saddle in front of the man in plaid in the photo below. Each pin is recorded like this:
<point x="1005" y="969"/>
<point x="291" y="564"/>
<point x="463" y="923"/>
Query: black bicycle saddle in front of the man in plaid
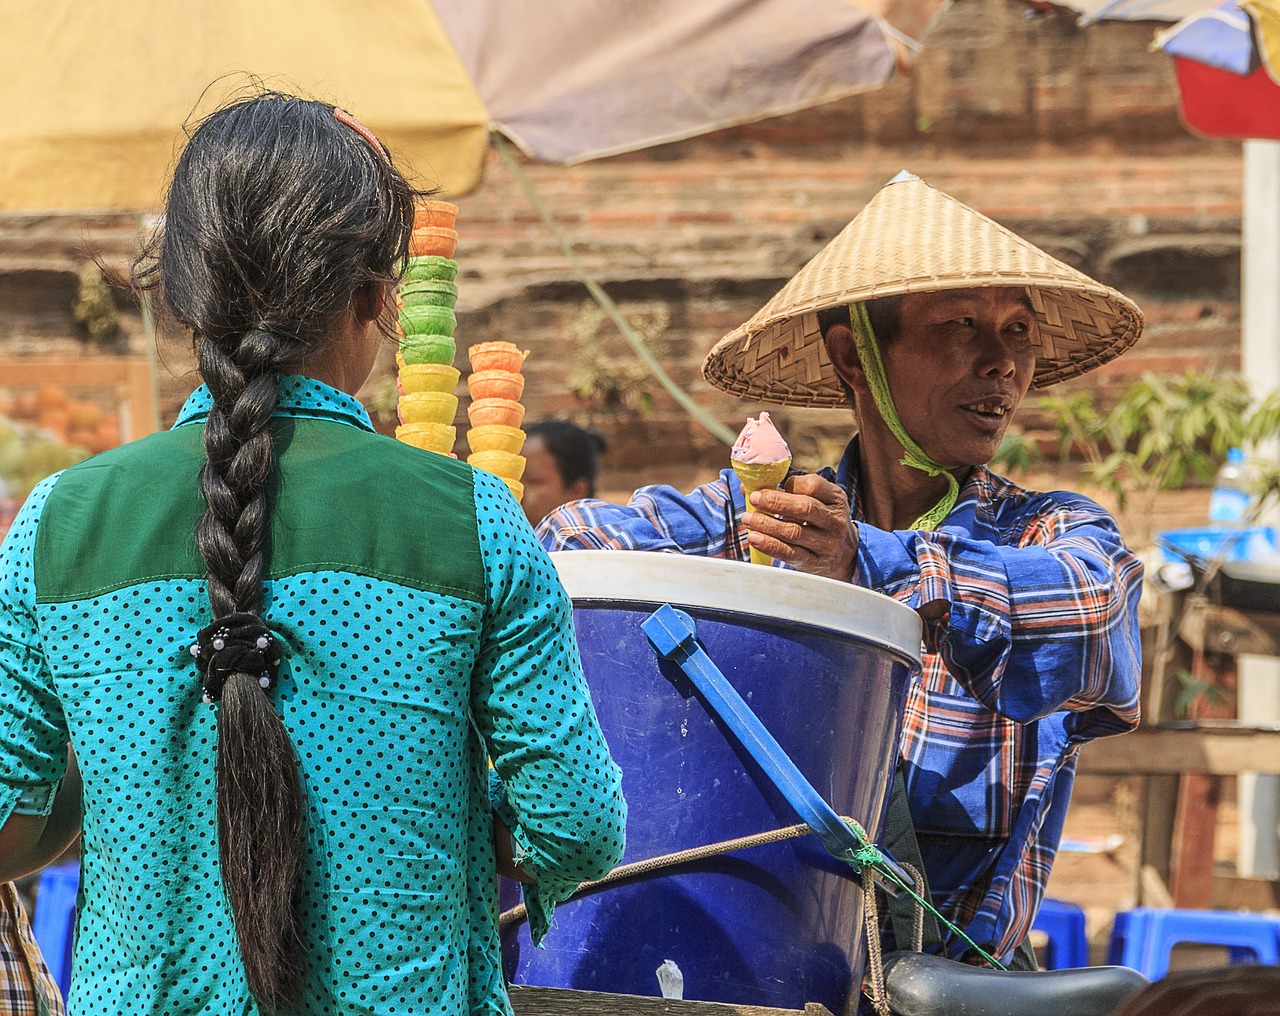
<point x="921" y="985"/>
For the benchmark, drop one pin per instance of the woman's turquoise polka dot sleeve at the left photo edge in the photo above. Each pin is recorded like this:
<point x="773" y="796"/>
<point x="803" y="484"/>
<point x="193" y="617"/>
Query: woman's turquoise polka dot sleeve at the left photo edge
<point x="33" y="727"/>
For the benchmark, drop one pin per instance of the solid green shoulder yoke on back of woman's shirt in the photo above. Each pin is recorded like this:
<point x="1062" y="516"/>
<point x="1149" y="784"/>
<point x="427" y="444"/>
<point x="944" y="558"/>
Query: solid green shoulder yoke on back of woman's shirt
<point x="129" y="516"/>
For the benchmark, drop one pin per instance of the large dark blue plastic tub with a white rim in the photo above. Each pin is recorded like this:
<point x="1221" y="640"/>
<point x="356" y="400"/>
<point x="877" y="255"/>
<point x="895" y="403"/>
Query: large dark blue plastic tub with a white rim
<point x="826" y="667"/>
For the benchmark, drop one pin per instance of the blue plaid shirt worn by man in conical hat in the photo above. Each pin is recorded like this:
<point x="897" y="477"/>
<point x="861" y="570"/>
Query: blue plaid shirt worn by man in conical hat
<point x="1037" y="652"/>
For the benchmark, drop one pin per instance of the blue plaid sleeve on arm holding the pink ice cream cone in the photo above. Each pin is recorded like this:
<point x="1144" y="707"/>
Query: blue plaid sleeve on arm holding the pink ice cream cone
<point x="1045" y="625"/>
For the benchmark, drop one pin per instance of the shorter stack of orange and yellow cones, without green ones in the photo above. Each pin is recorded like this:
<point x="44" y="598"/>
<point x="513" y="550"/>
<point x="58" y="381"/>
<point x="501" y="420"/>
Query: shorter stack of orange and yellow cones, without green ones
<point x="496" y="413"/>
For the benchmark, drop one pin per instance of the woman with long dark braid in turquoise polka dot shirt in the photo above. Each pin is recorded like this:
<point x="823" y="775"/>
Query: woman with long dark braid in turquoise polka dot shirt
<point x="282" y="647"/>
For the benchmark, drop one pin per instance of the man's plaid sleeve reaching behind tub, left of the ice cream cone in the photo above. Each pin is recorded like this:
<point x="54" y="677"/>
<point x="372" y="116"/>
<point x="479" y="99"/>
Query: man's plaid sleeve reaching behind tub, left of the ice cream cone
<point x="702" y="523"/>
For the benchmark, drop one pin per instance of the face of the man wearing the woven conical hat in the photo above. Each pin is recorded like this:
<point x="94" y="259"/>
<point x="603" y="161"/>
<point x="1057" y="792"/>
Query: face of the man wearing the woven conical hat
<point x="961" y="365"/>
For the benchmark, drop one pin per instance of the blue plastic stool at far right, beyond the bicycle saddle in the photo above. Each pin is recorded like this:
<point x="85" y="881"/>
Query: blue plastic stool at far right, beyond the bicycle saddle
<point x="1145" y="939"/>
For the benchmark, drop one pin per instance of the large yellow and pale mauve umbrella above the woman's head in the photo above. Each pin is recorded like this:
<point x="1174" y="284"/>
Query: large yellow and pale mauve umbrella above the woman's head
<point x="95" y="93"/>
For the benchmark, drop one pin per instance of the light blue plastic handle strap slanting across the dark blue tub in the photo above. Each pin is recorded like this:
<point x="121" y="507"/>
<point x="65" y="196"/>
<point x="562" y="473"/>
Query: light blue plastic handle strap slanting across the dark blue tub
<point x="673" y="635"/>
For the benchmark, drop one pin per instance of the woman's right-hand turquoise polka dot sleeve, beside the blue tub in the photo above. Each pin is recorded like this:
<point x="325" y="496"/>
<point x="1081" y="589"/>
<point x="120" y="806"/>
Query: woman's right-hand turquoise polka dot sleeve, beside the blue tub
<point x="561" y="794"/>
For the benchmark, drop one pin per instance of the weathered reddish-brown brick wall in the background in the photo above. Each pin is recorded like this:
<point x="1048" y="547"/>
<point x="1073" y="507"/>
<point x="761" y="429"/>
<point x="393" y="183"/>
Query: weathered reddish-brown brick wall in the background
<point x="1069" y="136"/>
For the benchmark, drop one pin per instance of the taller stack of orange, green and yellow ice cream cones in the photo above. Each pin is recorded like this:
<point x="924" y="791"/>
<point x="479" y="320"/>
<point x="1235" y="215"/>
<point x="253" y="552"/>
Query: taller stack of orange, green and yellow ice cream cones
<point x="427" y="296"/>
